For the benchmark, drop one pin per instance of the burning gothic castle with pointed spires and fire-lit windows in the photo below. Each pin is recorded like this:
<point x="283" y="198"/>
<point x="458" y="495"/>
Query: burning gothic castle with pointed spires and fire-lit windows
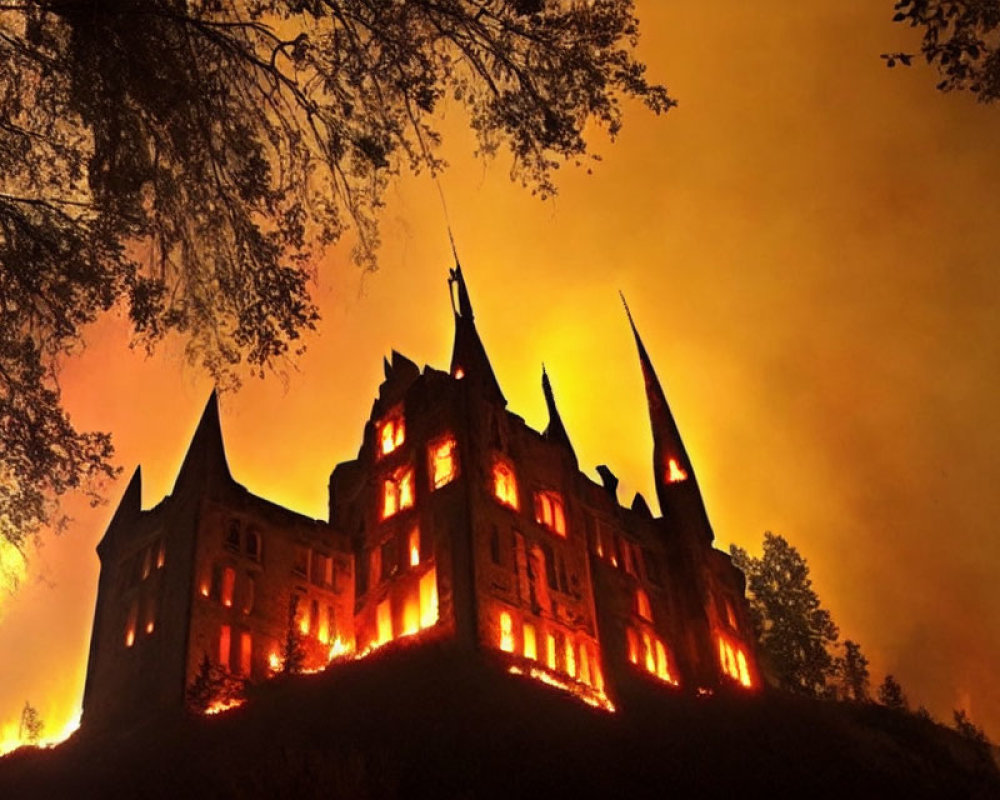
<point x="455" y="523"/>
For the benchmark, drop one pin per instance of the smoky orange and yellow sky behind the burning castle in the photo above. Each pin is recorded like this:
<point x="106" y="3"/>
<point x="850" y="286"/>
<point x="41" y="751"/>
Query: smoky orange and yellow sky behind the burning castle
<point x="808" y="246"/>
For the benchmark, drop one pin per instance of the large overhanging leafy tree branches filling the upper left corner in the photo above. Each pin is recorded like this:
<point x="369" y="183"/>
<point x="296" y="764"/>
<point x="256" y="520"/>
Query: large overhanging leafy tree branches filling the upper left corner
<point x="186" y="159"/>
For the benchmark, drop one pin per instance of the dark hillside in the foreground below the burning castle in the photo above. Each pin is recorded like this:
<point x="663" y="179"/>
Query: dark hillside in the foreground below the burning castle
<point x="414" y="722"/>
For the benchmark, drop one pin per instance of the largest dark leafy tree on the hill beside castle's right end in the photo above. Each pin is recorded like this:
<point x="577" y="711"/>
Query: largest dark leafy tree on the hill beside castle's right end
<point x="795" y="633"/>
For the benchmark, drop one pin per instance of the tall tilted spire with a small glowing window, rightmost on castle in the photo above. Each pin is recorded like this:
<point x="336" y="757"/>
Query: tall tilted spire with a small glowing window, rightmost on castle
<point x="676" y="485"/>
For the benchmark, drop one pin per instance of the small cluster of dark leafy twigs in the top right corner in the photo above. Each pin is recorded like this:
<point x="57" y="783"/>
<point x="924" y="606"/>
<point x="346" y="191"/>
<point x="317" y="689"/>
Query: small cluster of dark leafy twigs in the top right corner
<point x="959" y="40"/>
